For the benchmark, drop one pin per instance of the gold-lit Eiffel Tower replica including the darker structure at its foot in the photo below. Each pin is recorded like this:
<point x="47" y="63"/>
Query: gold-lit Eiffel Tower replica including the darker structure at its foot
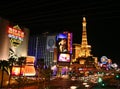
<point x="84" y="58"/>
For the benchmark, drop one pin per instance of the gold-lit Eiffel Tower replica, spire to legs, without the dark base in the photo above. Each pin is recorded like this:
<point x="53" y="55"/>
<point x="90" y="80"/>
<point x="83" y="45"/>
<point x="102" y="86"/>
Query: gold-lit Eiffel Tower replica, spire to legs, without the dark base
<point x="85" y="48"/>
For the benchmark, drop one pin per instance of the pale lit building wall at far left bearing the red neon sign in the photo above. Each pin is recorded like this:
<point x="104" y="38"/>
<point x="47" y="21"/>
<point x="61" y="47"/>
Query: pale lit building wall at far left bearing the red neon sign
<point x="12" y="38"/>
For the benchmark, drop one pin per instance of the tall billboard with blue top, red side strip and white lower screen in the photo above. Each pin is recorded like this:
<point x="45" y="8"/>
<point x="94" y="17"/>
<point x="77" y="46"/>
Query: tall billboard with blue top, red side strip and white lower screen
<point x="64" y="47"/>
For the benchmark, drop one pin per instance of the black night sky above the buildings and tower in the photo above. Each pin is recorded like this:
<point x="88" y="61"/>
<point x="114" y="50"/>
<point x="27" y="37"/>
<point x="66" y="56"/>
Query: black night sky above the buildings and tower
<point x="103" y="20"/>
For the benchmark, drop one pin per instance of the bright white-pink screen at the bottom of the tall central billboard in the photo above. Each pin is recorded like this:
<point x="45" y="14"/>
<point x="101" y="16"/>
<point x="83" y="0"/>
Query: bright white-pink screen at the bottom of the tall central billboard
<point x="63" y="57"/>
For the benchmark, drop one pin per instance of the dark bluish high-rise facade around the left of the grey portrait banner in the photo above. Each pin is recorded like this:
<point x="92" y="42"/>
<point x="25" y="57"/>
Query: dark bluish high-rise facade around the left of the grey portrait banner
<point x="38" y="48"/>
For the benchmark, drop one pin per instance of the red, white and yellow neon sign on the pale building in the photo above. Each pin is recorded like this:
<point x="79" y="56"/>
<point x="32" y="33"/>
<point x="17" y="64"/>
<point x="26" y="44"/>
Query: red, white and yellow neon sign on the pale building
<point x="16" y="35"/>
